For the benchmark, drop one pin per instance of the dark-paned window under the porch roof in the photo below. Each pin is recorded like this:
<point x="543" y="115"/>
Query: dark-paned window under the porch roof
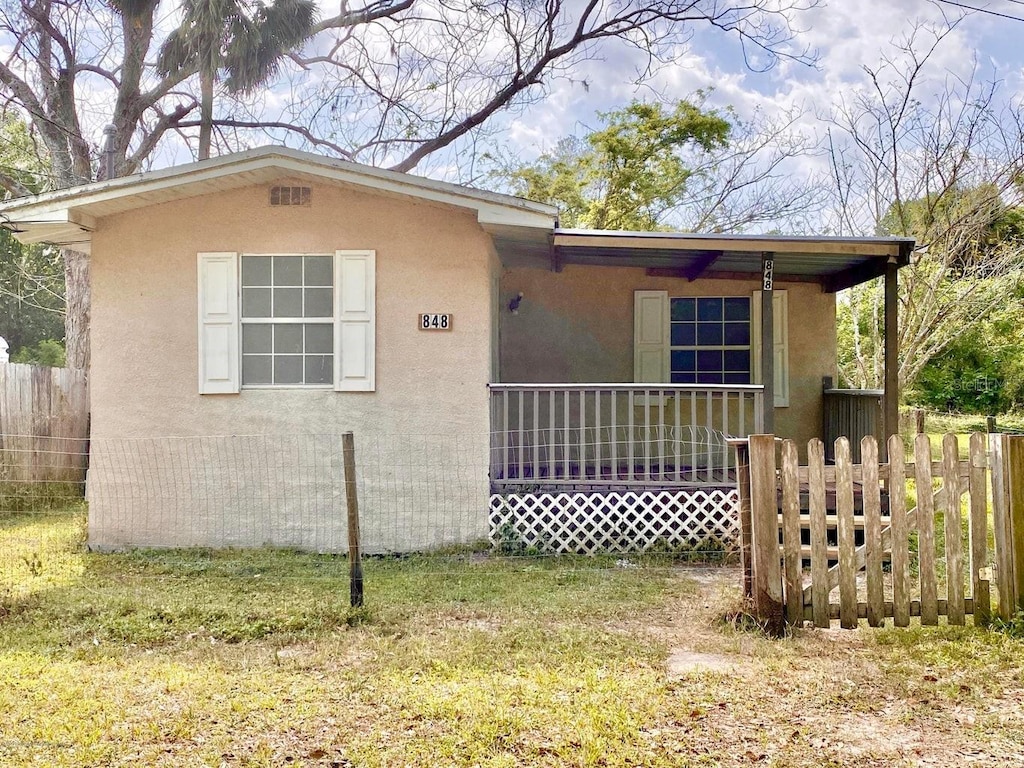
<point x="710" y="340"/>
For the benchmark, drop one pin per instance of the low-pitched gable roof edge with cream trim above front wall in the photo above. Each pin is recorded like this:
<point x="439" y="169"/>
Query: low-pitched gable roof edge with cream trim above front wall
<point x="68" y="218"/>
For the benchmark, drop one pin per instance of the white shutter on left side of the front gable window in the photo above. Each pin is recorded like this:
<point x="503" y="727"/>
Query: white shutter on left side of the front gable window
<point x="219" y="323"/>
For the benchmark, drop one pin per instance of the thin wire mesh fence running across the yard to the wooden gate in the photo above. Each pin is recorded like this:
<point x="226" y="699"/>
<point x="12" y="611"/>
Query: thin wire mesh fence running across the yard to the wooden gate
<point x="67" y="505"/>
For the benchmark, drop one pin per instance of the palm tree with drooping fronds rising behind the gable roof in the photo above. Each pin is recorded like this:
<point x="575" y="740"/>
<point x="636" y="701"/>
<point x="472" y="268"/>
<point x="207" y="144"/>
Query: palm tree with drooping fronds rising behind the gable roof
<point x="245" y="41"/>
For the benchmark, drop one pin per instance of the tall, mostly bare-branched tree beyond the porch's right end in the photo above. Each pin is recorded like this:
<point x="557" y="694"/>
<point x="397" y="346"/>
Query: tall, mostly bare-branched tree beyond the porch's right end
<point x="944" y="168"/>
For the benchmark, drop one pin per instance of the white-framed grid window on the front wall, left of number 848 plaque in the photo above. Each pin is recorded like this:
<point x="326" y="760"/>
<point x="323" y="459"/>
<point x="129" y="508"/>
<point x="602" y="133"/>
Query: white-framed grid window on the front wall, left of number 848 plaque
<point x="287" y="321"/>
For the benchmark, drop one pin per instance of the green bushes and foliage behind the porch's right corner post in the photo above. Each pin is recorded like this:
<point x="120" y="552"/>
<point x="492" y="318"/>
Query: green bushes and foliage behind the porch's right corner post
<point x="955" y="302"/>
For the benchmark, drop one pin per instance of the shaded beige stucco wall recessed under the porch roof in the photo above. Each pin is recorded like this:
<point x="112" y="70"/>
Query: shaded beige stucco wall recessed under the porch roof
<point x="577" y="326"/>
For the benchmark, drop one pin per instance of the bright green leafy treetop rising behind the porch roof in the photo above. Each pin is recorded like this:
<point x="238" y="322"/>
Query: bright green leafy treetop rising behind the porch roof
<point x="627" y="175"/>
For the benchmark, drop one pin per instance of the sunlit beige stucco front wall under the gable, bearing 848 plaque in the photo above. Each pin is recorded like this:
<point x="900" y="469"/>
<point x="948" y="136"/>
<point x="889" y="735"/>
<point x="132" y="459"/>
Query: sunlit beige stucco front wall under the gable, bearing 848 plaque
<point x="421" y="438"/>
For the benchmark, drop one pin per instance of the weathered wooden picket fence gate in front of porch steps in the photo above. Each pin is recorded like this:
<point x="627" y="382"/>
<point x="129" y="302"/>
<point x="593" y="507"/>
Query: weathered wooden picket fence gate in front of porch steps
<point x="809" y="531"/>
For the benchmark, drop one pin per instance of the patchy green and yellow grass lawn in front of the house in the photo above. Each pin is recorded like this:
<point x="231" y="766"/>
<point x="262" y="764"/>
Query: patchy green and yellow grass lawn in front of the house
<point x="198" y="659"/>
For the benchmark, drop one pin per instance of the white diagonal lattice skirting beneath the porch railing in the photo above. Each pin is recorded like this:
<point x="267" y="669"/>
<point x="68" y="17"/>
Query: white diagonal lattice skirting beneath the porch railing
<point x="591" y="524"/>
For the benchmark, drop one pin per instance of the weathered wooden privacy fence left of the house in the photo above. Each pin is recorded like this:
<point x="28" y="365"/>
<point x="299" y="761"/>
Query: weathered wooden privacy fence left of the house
<point x="45" y="423"/>
